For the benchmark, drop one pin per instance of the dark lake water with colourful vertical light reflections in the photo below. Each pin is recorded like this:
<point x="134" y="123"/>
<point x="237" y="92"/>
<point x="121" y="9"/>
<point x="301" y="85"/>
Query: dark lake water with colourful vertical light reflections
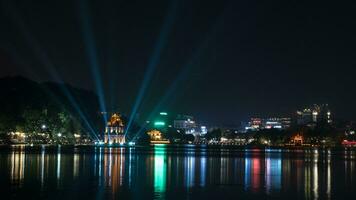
<point x="187" y="172"/>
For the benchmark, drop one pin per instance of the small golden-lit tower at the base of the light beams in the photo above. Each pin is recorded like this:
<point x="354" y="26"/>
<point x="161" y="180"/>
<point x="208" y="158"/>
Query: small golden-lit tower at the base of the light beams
<point x="114" y="131"/>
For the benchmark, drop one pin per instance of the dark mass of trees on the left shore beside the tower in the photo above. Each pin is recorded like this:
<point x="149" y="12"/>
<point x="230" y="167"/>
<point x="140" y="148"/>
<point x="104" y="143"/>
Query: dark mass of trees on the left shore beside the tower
<point x="51" y="108"/>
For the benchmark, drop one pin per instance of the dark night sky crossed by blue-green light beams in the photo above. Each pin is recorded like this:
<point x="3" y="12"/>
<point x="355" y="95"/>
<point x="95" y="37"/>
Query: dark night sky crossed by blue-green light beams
<point x="221" y="61"/>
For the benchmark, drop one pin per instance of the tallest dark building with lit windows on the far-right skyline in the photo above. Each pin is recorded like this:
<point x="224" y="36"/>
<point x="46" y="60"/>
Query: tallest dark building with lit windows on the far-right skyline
<point x="312" y="115"/>
